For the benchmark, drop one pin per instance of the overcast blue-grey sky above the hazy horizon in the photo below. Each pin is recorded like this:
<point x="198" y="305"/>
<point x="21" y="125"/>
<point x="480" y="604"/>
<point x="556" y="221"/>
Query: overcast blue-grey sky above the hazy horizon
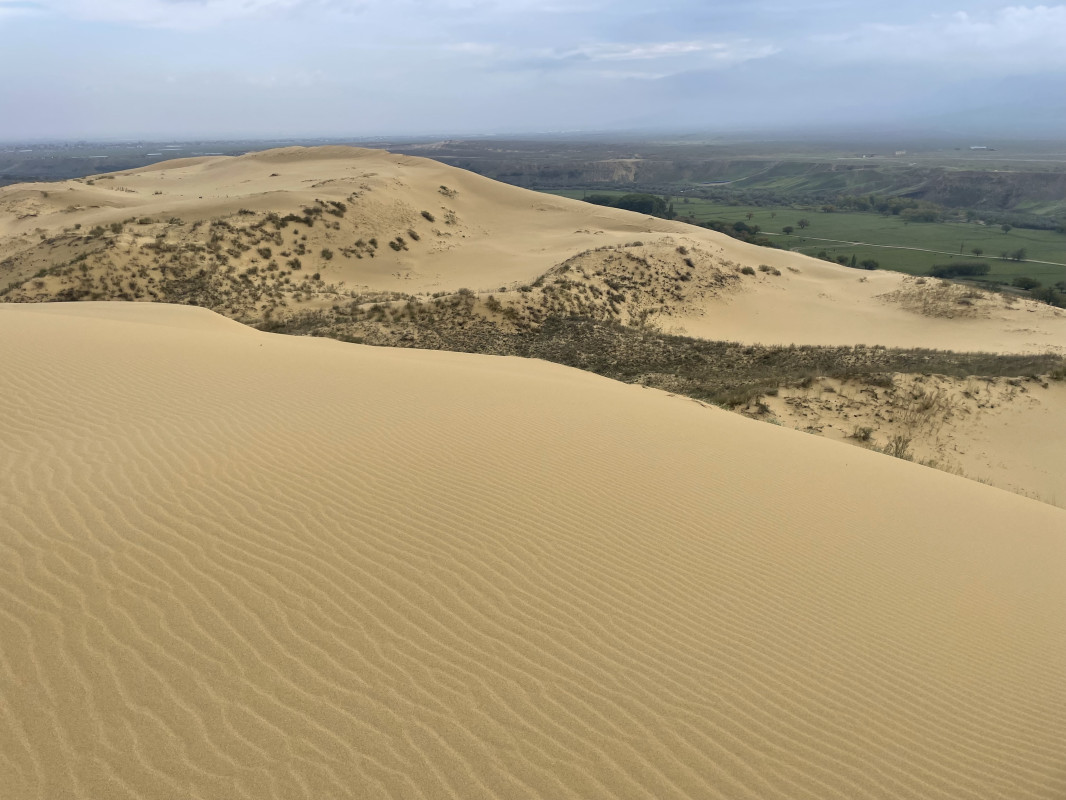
<point x="172" y="69"/>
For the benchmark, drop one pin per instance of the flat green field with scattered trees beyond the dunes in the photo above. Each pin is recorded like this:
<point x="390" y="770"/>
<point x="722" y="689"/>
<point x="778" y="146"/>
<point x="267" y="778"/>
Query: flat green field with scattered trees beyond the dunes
<point x="954" y="241"/>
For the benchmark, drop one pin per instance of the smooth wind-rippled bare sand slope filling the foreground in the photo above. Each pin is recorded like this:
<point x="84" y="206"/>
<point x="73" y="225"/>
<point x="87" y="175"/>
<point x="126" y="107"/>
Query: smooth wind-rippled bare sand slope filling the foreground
<point x="245" y="566"/>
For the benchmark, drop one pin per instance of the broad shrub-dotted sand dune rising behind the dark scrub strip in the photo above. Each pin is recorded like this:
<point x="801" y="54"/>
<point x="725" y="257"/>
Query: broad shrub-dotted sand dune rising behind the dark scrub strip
<point x="483" y="235"/>
